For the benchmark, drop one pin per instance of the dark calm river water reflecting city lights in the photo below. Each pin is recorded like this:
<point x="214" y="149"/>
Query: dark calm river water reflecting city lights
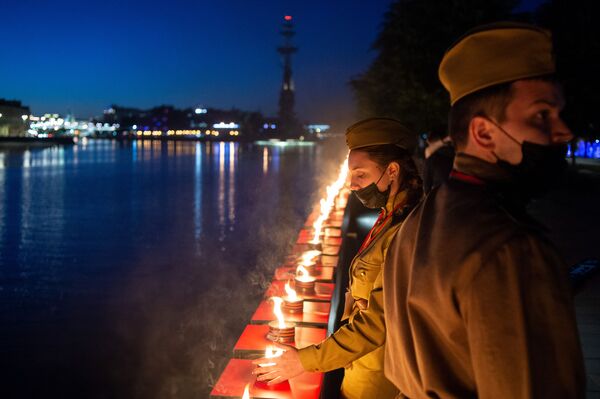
<point x="130" y="269"/>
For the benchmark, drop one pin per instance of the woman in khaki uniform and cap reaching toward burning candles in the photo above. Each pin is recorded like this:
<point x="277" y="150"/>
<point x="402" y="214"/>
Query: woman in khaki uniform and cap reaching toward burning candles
<point x="383" y="176"/>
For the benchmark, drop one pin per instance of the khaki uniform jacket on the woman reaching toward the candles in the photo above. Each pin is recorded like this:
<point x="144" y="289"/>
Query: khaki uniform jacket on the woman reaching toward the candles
<point x="365" y="330"/>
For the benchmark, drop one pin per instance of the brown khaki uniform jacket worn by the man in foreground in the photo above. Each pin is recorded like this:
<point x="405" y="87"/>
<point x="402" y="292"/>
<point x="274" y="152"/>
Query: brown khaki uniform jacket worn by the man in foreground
<point x="477" y="301"/>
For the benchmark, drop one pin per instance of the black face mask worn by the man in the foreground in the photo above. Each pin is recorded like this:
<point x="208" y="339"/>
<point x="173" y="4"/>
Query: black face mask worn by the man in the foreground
<point x="539" y="169"/>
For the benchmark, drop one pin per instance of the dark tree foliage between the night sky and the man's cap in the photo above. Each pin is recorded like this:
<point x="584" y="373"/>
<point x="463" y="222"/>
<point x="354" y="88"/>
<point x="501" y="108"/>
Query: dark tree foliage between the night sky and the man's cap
<point x="402" y="82"/>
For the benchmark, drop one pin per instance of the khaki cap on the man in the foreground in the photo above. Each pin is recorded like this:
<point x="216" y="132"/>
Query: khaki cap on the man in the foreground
<point x="494" y="54"/>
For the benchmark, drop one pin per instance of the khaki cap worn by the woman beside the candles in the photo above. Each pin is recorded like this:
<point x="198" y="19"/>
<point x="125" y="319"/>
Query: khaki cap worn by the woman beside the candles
<point x="380" y="131"/>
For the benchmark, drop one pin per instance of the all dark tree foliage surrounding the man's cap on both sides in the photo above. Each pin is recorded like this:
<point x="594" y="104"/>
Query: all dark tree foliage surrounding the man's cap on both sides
<point x="402" y="81"/>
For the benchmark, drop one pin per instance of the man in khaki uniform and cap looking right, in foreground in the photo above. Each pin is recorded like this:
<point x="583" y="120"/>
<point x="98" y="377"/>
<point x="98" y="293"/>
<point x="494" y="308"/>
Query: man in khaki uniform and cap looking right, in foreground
<point x="477" y="301"/>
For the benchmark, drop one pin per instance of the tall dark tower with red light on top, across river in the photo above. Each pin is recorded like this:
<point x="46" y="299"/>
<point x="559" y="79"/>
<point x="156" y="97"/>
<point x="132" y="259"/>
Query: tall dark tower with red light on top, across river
<point x="287" y="118"/>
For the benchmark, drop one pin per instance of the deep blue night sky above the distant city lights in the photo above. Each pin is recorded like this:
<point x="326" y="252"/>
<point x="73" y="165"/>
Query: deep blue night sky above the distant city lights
<point x="85" y="55"/>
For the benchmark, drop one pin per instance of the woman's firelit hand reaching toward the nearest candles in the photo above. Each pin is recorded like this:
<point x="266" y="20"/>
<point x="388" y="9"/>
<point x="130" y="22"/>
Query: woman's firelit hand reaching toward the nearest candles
<point x="280" y="368"/>
